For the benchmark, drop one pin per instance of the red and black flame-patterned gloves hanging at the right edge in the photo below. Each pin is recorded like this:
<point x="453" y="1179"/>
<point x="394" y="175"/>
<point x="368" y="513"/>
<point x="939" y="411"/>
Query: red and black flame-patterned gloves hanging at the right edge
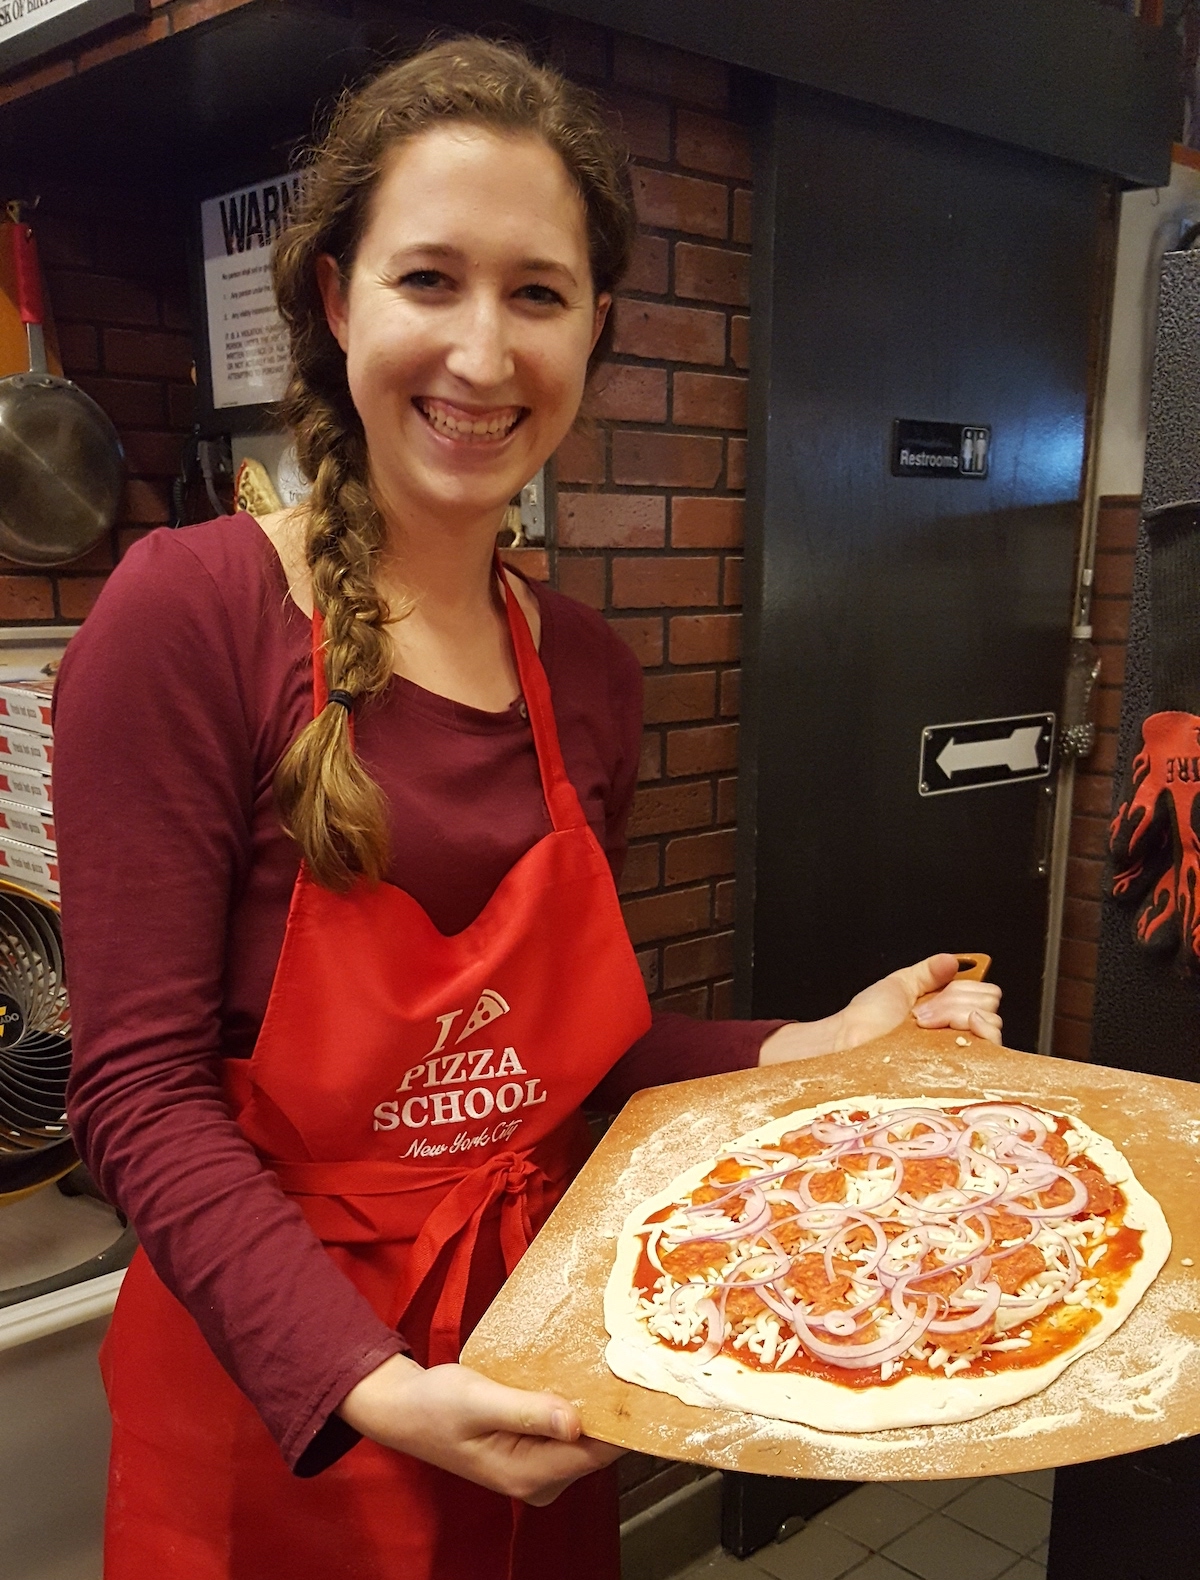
<point x="1155" y="841"/>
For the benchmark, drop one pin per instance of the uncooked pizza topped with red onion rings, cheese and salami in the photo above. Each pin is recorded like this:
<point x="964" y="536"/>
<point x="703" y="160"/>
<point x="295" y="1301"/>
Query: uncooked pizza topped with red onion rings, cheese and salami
<point x="834" y="1292"/>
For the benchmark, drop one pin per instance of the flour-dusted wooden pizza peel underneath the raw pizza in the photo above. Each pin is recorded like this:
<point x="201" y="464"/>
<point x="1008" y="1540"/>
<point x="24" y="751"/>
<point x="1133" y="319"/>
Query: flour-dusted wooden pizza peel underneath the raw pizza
<point x="1138" y="1390"/>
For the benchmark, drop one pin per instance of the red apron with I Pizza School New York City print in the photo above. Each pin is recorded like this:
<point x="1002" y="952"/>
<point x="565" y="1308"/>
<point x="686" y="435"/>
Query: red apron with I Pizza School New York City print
<point x="418" y="1096"/>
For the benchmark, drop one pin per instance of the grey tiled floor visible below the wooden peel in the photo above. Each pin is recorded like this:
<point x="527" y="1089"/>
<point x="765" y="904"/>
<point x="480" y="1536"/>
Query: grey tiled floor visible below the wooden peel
<point x="995" y="1529"/>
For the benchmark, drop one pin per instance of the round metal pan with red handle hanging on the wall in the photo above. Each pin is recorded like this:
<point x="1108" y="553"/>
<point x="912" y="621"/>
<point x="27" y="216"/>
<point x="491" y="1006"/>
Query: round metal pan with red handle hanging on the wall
<point x="61" y="459"/>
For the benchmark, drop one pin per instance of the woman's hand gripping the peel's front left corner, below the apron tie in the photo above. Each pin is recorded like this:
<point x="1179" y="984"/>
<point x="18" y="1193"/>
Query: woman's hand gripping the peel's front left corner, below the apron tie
<point x="518" y="1443"/>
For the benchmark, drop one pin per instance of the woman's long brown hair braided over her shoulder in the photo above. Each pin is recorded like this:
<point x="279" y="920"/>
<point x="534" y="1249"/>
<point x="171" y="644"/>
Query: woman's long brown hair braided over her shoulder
<point x="328" y="800"/>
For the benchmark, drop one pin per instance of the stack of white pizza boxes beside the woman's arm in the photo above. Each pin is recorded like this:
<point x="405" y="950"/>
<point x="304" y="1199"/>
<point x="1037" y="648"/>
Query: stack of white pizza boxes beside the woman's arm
<point x="29" y="854"/>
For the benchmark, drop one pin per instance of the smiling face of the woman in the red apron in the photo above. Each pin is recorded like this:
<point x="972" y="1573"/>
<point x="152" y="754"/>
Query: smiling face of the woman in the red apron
<point x="467" y="322"/>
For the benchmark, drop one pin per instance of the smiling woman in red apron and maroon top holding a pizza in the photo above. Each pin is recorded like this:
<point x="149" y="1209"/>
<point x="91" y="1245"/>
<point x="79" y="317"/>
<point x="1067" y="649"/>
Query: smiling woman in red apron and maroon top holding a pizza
<point x="336" y="1031"/>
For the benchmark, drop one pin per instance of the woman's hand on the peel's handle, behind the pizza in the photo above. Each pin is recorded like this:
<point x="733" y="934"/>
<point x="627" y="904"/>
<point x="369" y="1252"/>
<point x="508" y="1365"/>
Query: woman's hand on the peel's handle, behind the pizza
<point x="957" y="1004"/>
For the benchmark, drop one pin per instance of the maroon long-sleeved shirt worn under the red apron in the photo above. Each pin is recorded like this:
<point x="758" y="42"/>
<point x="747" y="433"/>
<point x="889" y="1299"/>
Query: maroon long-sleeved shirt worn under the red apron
<point x="173" y="709"/>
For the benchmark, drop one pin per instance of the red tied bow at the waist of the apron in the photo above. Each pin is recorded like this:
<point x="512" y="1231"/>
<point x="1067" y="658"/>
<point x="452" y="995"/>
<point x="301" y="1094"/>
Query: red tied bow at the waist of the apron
<point x="519" y="1186"/>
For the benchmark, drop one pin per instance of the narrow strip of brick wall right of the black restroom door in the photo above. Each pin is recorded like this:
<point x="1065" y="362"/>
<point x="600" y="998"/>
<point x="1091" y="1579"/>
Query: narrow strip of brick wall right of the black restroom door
<point x="1117" y="538"/>
